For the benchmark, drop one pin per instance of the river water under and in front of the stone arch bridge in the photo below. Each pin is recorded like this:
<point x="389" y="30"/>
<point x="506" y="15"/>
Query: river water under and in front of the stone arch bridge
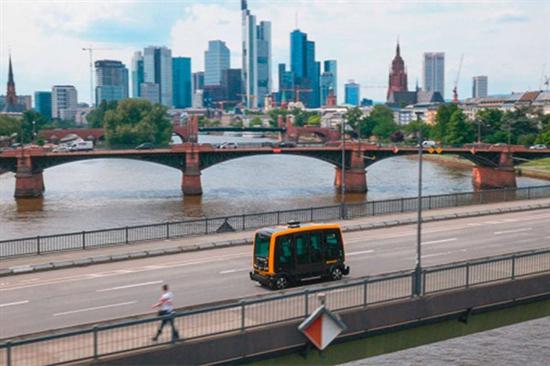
<point x="103" y="193"/>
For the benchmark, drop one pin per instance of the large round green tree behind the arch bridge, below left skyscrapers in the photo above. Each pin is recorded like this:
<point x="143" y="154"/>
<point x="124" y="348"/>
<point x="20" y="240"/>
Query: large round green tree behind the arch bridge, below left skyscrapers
<point x="135" y="121"/>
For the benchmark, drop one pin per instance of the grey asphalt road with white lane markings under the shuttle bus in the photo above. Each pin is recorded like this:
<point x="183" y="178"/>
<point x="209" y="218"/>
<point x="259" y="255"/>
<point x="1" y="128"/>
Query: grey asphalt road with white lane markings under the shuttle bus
<point x="56" y="299"/>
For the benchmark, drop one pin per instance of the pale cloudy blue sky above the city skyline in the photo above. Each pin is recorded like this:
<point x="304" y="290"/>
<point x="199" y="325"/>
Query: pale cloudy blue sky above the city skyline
<point x="509" y="41"/>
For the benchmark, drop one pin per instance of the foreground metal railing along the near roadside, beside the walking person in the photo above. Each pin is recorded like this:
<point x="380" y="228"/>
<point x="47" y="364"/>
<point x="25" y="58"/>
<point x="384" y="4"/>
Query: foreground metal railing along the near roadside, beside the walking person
<point x="107" y="339"/>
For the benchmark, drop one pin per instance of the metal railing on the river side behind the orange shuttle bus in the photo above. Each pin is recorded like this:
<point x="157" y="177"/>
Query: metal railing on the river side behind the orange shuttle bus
<point x="176" y="229"/>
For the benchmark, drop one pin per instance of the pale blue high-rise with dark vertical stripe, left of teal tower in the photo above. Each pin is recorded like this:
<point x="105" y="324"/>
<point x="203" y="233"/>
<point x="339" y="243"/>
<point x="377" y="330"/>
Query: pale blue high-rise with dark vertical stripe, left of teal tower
<point x="157" y="69"/>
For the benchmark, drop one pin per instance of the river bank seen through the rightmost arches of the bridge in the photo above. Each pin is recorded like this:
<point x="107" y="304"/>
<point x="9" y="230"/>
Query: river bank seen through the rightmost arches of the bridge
<point x="539" y="169"/>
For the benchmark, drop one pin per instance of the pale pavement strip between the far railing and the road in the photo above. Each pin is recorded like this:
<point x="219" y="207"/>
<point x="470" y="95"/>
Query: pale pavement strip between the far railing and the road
<point x="143" y="249"/>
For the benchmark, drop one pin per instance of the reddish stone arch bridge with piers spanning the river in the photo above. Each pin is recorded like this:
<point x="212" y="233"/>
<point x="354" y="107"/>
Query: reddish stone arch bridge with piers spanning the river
<point x="494" y="166"/>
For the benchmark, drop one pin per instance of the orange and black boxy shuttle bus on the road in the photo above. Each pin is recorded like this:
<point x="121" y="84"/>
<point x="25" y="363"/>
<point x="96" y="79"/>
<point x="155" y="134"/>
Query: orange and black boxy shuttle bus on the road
<point x="286" y="255"/>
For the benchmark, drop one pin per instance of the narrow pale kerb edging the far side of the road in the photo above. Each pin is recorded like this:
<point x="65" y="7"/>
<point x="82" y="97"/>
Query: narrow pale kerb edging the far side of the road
<point x="11" y="271"/>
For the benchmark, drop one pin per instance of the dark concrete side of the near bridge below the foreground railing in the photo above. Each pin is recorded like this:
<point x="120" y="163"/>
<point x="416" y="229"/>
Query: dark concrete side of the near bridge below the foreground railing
<point x="269" y="342"/>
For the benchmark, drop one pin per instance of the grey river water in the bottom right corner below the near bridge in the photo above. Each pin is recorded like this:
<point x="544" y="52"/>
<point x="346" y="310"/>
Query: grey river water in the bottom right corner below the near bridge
<point x="521" y="344"/>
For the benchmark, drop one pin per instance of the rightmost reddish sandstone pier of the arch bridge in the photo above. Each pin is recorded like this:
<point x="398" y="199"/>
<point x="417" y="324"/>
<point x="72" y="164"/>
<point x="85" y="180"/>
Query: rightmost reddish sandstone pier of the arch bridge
<point x="503" y="176"/>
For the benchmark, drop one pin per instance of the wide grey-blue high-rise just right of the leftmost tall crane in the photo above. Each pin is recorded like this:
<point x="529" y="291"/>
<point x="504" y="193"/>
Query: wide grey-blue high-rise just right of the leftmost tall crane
<point x="111" y="81"/>
